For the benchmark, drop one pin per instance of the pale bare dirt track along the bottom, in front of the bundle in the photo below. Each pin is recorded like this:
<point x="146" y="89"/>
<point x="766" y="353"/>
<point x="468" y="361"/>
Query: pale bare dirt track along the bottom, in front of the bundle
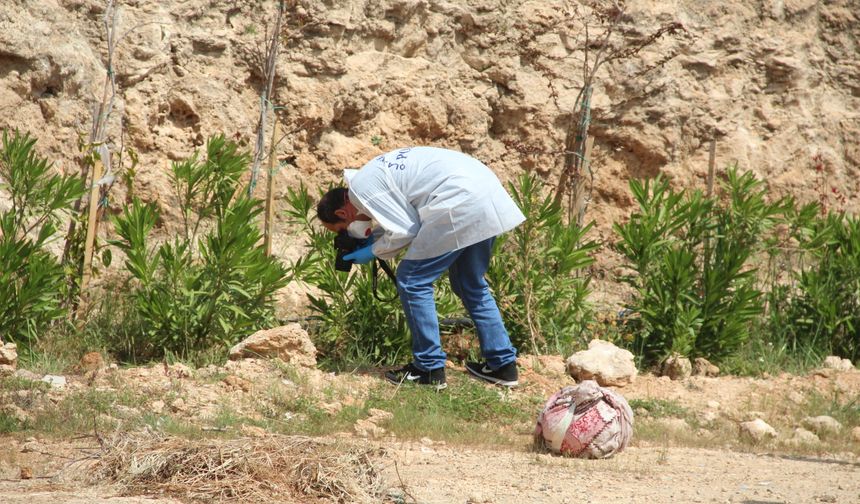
<point x="443" y="474"/>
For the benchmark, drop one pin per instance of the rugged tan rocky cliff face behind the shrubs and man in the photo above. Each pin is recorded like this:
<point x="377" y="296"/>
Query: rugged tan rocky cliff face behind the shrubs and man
<point x="779" y="81"/>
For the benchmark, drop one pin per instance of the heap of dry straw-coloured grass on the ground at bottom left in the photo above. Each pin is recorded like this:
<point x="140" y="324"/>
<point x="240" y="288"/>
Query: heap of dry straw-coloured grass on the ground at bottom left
<point x="274" y="468"/>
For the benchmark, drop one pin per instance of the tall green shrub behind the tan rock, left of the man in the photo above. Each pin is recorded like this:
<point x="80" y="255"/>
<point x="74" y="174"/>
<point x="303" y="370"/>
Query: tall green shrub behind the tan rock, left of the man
<point x="213" y="285"/>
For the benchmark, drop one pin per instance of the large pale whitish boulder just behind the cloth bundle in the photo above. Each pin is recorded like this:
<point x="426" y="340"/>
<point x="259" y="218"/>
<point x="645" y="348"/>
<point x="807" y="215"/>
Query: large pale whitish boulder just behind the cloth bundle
<point x="603" y="362"/>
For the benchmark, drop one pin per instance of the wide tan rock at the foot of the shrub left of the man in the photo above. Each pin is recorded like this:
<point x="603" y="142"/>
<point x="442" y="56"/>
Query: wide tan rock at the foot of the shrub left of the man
<point x="290" y="343"/>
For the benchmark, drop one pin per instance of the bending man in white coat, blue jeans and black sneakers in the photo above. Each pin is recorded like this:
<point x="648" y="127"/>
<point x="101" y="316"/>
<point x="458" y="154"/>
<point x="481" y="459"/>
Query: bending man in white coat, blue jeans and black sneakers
<point x="447" y="208"/>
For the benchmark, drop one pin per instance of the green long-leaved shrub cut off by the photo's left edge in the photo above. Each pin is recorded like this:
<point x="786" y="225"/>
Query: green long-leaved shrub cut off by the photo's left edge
<point x="31" y="279"/>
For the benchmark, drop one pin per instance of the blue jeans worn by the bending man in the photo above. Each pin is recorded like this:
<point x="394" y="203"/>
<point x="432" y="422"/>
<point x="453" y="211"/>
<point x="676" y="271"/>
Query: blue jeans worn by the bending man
<point x="466" y="268"/>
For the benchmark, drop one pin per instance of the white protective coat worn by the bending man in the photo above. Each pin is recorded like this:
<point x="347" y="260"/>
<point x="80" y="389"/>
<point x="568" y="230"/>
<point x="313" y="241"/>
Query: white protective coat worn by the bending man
<point x="432" y="200"/>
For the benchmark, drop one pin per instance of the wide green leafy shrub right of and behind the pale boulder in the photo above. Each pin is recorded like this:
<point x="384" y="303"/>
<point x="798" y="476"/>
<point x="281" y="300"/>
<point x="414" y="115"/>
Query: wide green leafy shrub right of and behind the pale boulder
<point x="695" y="284"/>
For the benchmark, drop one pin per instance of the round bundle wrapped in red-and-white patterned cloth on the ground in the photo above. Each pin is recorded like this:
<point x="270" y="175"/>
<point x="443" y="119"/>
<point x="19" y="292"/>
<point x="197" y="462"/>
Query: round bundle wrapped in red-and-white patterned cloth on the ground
<point x="586" y="421"/>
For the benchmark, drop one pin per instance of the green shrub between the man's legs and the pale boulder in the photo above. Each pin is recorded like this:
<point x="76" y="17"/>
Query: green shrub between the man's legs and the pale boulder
<point x="536" y="274"/>
